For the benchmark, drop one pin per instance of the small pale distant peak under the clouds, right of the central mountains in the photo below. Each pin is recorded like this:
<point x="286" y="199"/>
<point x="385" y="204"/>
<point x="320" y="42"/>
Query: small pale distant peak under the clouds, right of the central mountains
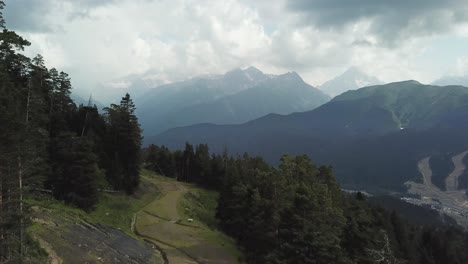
<point x="351" y="79"/>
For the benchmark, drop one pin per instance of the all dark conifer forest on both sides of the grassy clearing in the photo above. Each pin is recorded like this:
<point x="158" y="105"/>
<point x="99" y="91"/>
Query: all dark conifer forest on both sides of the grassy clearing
<point x="295" y="213"/>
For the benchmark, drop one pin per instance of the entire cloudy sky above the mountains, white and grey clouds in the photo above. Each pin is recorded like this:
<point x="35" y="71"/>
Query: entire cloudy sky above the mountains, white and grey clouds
<point x="102" y="42"/>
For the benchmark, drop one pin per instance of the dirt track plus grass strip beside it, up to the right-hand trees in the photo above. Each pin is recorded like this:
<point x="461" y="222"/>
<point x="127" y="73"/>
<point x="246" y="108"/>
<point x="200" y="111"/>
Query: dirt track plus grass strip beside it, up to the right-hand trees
<point x="181" y="223"/>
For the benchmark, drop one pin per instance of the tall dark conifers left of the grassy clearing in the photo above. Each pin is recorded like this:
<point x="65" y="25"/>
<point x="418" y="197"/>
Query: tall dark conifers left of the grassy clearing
<point x="47" y="142"/>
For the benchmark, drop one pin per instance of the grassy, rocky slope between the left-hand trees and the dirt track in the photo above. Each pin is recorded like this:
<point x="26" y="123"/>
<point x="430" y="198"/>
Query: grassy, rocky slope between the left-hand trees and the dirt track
<point x="104" y="235"/>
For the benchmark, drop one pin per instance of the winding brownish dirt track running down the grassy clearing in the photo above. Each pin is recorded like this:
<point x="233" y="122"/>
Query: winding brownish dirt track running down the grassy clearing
<point x="181" y="241"/>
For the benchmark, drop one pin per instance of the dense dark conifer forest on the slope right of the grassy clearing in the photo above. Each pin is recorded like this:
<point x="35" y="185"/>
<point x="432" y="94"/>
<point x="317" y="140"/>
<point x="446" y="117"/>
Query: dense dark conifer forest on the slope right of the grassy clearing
<point x="297" y="213"/>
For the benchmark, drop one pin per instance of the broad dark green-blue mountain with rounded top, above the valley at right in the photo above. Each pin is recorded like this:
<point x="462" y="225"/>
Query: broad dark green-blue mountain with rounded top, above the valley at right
<point x="373" y="136"/>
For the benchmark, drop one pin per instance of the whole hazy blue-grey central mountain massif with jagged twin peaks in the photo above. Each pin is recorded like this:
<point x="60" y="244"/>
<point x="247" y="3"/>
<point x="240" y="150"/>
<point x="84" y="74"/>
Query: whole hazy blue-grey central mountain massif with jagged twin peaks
<point x="237" y="96"/>
